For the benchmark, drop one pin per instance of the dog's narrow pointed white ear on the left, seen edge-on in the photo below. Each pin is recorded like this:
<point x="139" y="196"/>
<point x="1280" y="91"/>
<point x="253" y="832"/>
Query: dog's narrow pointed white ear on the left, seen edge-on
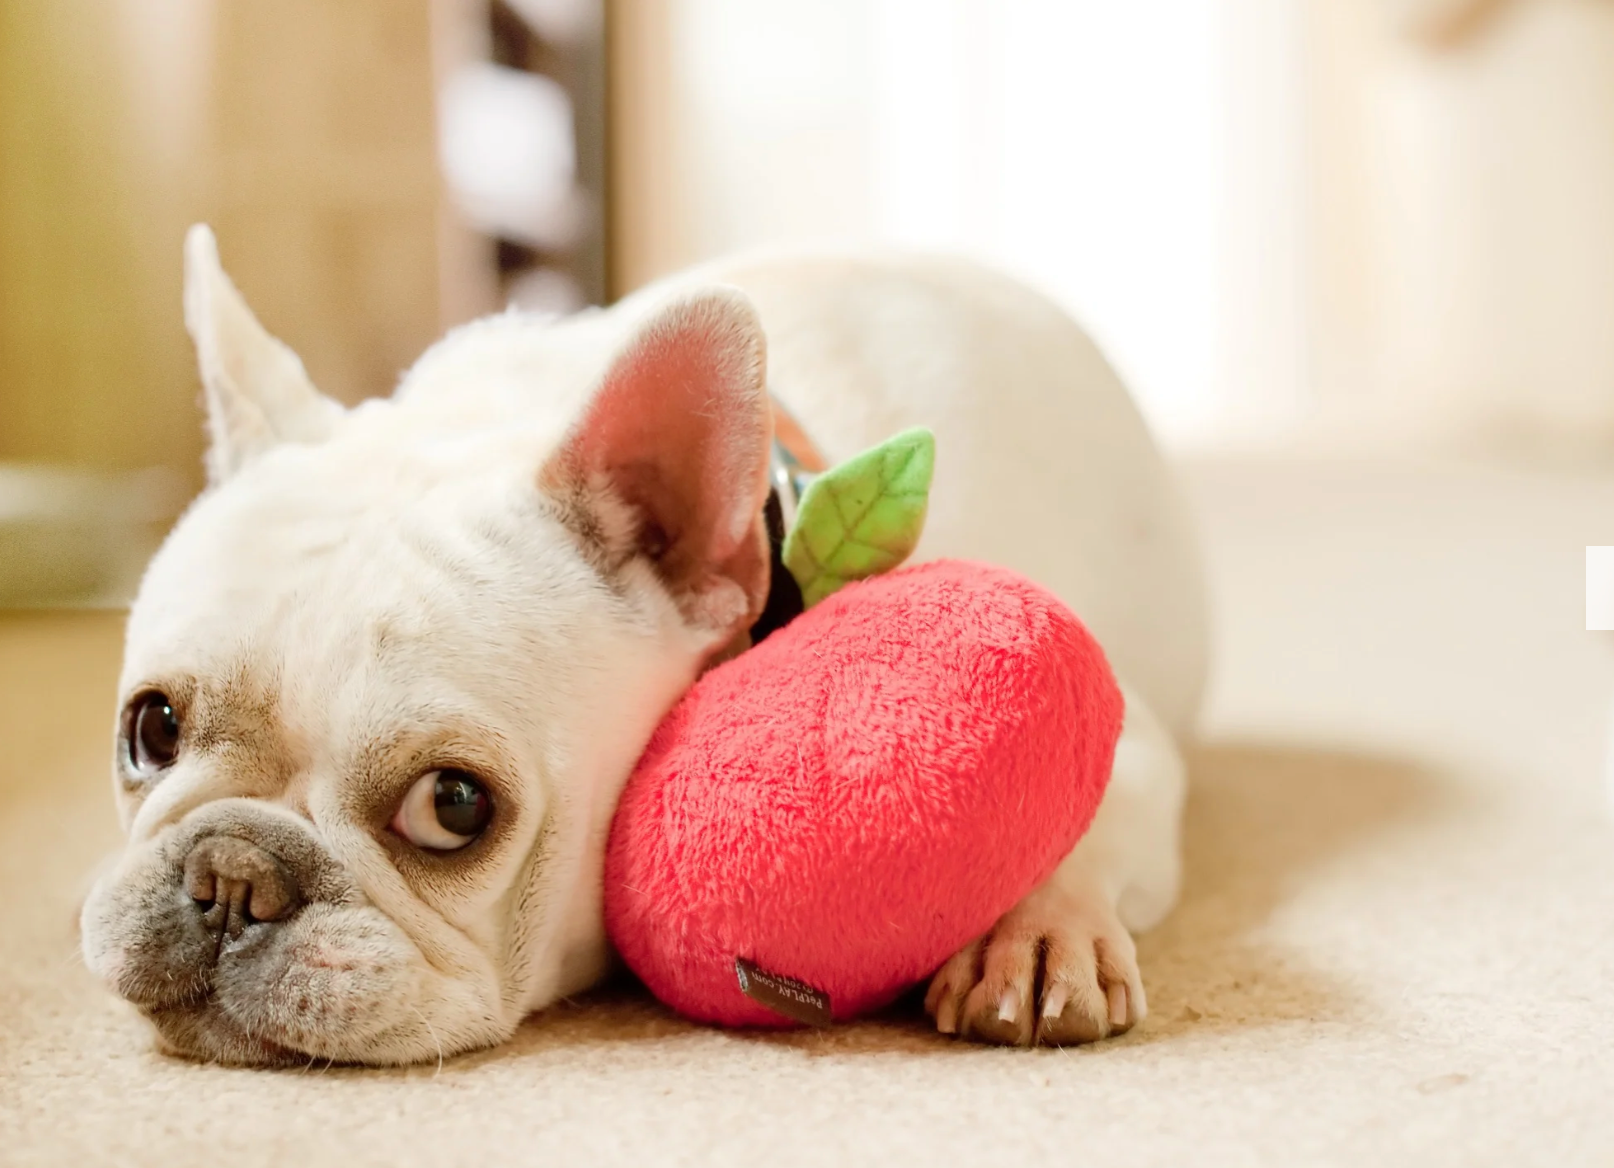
<point x="256" y="388"/>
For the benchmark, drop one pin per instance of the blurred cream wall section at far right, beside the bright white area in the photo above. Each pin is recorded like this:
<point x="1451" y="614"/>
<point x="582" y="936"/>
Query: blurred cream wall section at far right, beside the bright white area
<point x="1463" y="240"/>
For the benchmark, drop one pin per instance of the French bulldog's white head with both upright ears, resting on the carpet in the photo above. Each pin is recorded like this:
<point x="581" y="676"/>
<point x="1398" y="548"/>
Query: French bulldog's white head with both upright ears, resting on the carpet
<point x="387" y="678"/>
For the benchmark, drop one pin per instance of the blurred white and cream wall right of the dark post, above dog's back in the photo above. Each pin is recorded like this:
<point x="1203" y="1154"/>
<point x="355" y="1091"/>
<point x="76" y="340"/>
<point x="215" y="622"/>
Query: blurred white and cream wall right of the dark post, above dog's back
<point x="1289" y="222"/>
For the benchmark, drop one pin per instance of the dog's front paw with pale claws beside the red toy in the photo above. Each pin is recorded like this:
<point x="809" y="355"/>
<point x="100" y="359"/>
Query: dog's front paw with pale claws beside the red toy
<point x="1060" y="969"/>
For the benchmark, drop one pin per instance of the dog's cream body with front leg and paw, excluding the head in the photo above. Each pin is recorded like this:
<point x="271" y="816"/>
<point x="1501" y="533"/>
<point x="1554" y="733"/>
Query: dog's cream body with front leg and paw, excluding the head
<point x="1045" y="467"/>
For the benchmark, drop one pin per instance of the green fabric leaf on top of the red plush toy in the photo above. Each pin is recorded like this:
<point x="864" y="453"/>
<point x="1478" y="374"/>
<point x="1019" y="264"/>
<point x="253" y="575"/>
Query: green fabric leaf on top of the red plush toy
<point x="864" y="517"/>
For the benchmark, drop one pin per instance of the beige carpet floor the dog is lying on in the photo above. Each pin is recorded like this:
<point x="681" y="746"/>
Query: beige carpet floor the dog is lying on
<point x="1397" y="943"/>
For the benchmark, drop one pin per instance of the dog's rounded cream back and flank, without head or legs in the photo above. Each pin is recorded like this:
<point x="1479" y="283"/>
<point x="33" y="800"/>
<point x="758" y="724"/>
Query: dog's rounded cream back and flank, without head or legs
<point x="1043" y="461"/>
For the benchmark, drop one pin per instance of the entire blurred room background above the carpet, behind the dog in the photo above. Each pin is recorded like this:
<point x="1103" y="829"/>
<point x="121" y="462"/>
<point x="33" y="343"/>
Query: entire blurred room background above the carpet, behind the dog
<point x="1300" y="228"/>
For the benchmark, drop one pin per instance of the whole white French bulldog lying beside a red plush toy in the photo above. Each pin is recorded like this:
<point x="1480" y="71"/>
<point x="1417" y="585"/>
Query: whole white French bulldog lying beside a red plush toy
<point x="387" y="678"/>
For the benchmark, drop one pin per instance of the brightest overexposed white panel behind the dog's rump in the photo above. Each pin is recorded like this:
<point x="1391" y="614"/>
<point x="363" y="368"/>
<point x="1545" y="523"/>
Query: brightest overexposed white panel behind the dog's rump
<point x="1081" y="146"/>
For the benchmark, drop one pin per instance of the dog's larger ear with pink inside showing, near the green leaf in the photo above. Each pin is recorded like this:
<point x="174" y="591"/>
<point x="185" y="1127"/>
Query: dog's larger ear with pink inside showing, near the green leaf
<point x="671" y="459"/>
